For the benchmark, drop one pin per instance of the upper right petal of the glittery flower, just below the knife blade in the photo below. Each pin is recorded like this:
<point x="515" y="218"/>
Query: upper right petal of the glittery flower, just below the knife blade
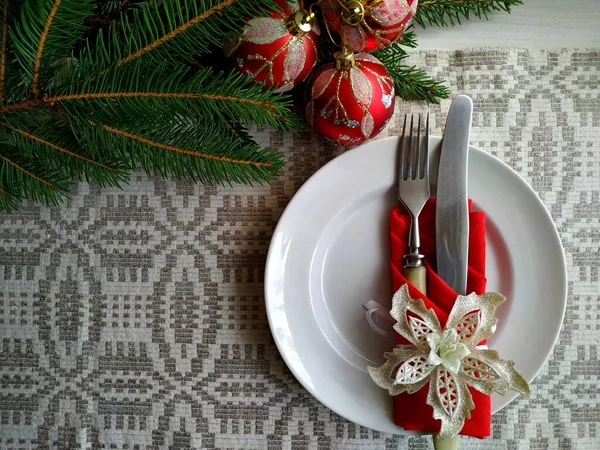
<point x="472" y="317"/>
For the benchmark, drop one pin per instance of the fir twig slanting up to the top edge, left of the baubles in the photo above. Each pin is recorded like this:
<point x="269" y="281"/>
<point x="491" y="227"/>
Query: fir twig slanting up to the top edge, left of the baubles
<point x="192" y="25"/>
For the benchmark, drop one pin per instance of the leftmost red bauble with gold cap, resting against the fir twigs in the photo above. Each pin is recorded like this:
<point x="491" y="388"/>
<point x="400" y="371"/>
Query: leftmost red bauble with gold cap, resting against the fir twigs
<point x="279" y="50"/>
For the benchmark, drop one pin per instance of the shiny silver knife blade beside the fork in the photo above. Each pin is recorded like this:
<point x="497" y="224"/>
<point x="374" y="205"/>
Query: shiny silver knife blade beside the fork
<point x="452" y="210"/>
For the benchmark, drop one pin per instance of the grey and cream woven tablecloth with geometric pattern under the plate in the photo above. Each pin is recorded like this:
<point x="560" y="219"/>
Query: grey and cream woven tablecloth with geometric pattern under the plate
<point x="135" y="318"/>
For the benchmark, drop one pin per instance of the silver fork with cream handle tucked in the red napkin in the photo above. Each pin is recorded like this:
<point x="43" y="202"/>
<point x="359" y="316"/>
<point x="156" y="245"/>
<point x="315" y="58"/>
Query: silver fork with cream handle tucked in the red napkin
<point x="413" y="192"/>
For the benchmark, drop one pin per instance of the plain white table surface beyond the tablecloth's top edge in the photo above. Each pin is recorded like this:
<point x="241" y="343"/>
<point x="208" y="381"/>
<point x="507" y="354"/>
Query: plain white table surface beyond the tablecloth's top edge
<point x="549" y="24"/>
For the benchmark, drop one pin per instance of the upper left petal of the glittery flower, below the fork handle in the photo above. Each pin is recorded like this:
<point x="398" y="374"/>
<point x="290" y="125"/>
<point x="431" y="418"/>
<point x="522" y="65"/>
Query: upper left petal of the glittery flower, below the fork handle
<point x="414" y="321"/>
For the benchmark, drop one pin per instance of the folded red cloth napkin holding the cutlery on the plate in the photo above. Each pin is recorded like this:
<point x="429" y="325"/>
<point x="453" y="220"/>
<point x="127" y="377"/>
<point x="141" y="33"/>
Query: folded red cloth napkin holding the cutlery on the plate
<point x="411" y="411"/>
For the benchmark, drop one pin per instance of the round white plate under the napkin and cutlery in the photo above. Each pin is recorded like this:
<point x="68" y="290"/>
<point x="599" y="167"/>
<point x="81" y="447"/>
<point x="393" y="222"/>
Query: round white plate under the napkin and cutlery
<point x="330" y="254"/>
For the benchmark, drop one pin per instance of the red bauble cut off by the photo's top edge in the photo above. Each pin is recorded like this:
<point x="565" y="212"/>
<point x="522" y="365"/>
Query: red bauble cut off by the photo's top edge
<point x="368" y="25"/>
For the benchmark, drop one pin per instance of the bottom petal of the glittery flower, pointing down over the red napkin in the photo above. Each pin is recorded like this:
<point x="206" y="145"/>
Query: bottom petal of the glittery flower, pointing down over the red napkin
<point x="451" y="401"/>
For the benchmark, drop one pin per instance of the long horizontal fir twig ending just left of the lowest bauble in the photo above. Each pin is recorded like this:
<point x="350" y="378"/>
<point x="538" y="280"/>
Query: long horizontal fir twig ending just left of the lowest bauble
<point x="124" y="92"/>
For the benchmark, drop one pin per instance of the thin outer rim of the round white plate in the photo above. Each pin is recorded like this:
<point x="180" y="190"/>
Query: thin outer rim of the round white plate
<point x="271" y="251"/>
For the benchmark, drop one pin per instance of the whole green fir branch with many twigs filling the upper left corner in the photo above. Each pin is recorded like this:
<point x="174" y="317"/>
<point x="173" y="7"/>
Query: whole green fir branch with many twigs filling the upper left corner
<point x="92" y="118"/>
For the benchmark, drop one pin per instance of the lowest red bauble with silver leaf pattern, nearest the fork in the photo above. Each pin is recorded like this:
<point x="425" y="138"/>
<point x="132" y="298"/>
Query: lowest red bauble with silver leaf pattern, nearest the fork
<point x="350" y="100"/>
